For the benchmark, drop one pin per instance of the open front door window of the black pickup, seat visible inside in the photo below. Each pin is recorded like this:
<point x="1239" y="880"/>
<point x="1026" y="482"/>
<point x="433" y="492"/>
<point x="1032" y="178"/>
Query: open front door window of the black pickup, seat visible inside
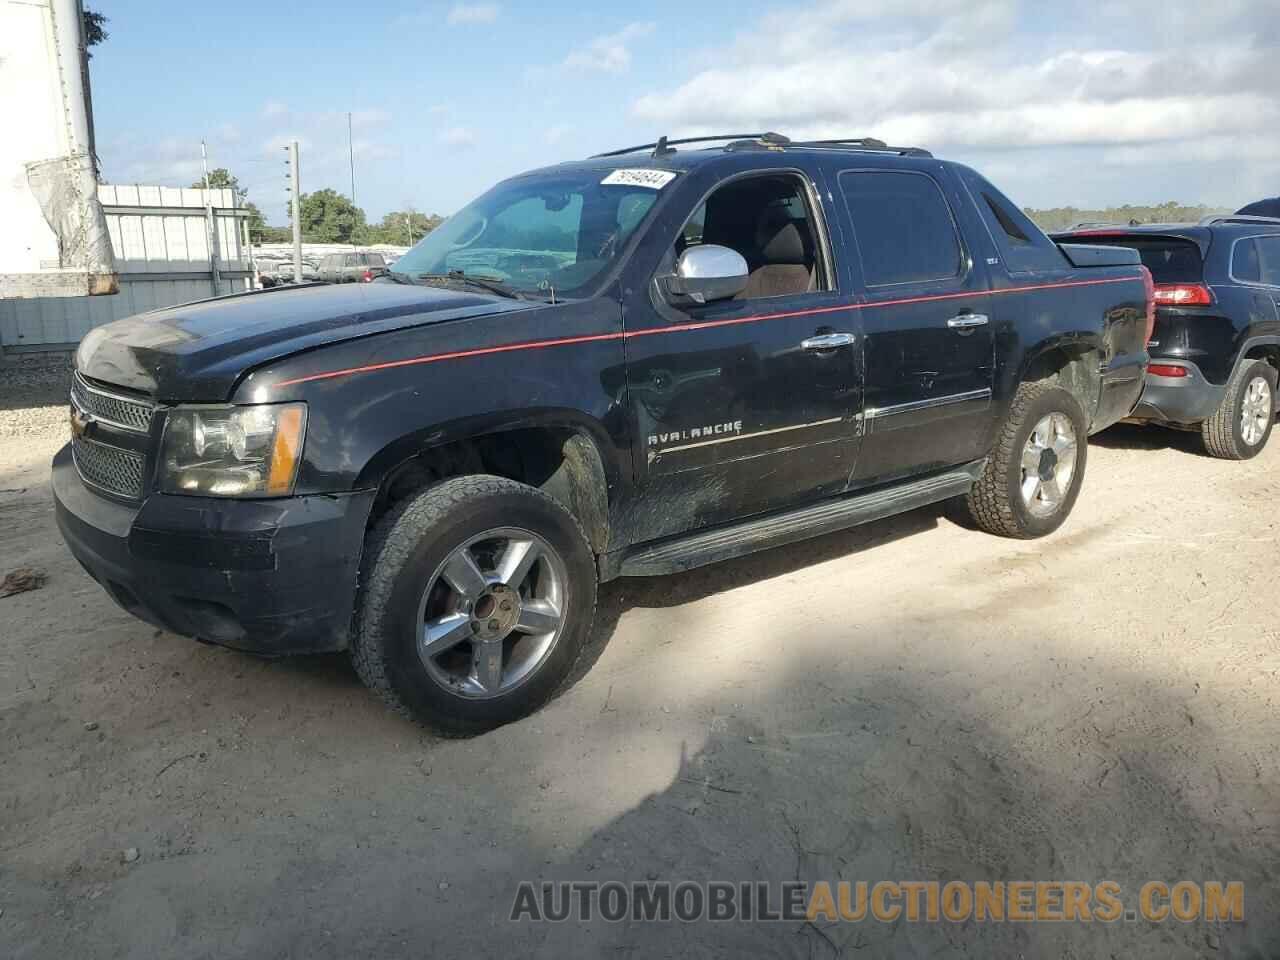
<point x="767" y="220"/>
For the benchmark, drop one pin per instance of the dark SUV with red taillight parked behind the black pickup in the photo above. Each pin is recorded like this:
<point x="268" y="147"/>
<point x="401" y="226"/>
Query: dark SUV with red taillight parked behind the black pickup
<point x="1217" y="346"/>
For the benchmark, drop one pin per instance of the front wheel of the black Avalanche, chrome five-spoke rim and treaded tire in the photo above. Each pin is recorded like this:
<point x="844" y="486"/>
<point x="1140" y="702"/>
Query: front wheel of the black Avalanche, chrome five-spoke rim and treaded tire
<point x="406" y="586"/>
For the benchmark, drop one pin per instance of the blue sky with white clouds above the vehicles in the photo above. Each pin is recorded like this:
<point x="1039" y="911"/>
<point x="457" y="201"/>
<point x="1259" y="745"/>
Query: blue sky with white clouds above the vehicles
<point x="1085" y="103"/>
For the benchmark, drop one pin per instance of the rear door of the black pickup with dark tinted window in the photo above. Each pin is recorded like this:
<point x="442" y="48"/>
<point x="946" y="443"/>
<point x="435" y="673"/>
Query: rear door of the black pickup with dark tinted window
<point x="929" y="340"/>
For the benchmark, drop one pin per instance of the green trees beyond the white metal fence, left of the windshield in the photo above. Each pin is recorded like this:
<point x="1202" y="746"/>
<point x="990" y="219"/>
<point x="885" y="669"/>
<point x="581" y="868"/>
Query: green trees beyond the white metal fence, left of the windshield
<point x="327" y="218"/>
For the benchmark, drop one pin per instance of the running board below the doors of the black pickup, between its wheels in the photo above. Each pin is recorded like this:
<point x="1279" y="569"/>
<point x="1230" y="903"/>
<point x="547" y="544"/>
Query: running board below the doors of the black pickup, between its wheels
<point x="762" y="533"/>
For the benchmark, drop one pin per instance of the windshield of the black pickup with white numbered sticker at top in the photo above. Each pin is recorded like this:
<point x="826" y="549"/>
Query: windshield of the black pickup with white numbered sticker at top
<point x="551" y="234"/>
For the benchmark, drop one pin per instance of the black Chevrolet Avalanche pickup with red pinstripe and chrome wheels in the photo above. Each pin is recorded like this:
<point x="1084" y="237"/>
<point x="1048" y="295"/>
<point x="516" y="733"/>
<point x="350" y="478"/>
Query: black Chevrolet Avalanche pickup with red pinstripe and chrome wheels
<point x="630" y="365"/>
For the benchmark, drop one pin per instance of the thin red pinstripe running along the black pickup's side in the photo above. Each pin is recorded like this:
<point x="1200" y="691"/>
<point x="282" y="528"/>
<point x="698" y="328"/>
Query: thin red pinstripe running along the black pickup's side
<point x="687" y="328"/>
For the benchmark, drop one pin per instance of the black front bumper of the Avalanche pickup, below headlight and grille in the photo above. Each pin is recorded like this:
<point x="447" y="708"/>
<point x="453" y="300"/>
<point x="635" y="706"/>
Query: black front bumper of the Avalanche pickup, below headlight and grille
<point x="271" y="577"/>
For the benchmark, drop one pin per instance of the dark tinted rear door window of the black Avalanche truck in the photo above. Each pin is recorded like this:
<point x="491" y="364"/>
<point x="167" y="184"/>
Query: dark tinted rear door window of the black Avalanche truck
<point x="904" y="227"/>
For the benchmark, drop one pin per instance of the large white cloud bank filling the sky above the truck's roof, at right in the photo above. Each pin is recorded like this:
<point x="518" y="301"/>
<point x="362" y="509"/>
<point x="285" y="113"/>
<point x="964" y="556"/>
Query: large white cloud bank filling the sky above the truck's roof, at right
<point x="981" y="75"/>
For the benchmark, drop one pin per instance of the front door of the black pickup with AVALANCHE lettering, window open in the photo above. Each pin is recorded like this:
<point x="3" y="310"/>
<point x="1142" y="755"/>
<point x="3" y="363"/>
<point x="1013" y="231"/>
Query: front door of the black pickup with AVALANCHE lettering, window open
<point x="746" y="405"/>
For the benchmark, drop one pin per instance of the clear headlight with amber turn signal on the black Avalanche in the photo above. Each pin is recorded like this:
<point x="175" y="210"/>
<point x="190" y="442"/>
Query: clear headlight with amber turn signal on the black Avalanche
<point x="234" y="451"/>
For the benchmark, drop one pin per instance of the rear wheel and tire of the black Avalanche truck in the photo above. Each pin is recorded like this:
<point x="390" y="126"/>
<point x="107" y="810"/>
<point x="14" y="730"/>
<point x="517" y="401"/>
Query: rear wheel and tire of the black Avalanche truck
<point x="996" y="504"/>
